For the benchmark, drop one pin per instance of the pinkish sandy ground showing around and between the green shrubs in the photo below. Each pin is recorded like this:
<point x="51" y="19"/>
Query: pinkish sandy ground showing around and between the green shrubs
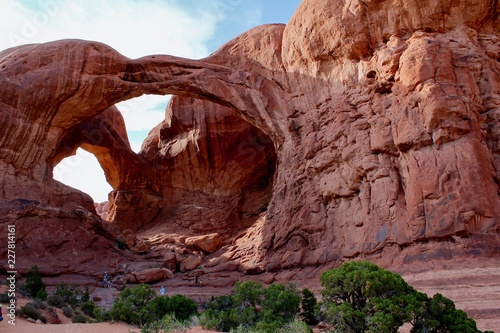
<point x="474" y="286"/>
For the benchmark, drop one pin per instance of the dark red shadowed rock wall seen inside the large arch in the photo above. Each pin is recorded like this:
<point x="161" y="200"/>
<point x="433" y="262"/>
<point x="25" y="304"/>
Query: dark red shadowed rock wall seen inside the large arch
<point x="209" y="171"/>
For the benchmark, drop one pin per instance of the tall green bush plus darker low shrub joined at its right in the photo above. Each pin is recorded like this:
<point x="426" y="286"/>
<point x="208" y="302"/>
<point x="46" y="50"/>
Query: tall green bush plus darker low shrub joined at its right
<point x="362" y="297"/>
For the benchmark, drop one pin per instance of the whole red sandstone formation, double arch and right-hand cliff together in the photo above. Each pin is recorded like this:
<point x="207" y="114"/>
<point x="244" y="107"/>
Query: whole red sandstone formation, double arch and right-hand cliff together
<point x="359" y="128"/>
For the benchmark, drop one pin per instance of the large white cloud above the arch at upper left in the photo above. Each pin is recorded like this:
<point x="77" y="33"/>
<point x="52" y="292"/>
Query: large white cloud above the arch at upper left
<point x="134" y="28"/>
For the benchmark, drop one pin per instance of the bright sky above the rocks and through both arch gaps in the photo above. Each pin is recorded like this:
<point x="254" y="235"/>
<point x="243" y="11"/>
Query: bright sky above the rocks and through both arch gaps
<point x="186" y="28"/>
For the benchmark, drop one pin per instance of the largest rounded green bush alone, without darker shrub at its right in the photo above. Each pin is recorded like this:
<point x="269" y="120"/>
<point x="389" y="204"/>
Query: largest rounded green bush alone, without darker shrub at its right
<point x="360" y="297"/>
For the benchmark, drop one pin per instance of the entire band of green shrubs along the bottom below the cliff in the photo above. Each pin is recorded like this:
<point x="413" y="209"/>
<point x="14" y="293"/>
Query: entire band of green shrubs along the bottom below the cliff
<point x="355" y="297"/>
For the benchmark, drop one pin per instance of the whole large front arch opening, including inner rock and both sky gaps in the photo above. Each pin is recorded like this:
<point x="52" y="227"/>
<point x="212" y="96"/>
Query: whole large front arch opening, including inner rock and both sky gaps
<point x="203" y="167"/>
